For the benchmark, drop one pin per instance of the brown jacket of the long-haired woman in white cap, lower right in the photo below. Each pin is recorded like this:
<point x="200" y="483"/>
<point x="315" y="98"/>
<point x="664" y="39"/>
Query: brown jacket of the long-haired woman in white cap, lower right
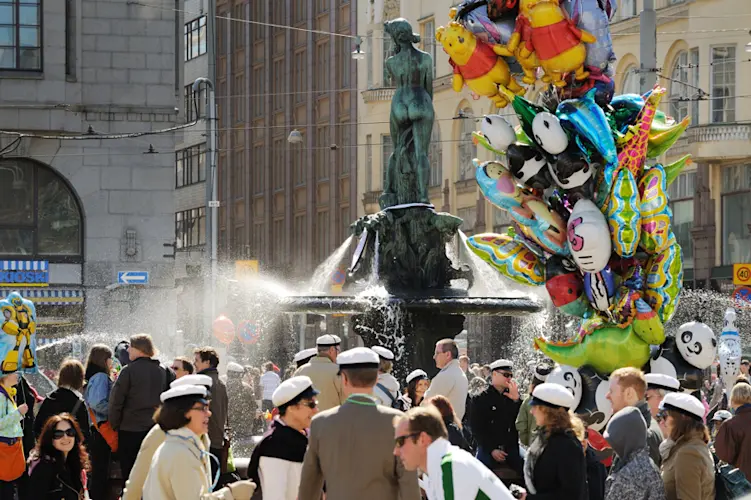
<point x="687" y="469"/>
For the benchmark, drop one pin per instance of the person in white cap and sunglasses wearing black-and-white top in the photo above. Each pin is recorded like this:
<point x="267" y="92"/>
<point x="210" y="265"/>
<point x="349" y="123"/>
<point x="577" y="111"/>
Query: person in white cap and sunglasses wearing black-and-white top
<point x="276" y="462"/>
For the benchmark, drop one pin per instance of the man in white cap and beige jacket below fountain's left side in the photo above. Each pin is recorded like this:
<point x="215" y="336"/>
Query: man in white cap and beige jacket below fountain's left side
<point x="324" y="372"/>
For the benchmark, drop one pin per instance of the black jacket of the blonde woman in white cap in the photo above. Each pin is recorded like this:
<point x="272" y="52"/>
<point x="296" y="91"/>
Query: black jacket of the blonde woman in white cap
<point x="561" y="471"/>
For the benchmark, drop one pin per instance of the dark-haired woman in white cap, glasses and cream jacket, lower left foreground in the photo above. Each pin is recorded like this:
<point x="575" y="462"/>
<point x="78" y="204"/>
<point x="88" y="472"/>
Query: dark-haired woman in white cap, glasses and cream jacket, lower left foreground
<point x="181" y="466"/>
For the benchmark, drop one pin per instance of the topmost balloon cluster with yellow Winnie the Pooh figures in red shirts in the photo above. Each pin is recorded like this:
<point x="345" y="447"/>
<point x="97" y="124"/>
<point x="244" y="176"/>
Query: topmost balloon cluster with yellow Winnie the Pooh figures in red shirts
<point x="566" y="42"/>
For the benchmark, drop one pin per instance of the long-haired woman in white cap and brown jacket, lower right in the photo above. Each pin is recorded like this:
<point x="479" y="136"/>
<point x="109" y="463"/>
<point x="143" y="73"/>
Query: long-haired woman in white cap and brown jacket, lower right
<point x="687" y="465"/>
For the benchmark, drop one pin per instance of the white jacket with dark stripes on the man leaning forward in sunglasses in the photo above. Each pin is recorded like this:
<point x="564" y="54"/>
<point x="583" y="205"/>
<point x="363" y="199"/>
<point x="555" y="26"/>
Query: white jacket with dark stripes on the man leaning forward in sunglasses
<point x="468" y="475"/>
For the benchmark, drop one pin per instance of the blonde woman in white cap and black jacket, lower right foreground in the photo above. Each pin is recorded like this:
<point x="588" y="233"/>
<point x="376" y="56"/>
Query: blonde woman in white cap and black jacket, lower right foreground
<point x="555" y="466"/>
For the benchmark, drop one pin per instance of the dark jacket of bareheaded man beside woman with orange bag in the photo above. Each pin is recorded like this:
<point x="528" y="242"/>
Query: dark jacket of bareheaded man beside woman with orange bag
<point x="135" y="395"/>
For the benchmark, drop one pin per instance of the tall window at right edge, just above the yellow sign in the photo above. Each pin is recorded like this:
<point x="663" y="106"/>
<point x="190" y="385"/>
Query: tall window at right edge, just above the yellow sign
<point x="736" y="214"/>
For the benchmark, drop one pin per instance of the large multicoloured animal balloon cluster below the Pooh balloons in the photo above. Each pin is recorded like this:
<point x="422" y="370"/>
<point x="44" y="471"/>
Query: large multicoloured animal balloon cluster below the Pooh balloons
<point x="593" y="218"/>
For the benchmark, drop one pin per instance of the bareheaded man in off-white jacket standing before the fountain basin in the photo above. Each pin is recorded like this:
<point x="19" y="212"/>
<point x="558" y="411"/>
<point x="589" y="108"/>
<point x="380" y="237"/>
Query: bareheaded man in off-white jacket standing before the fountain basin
<point x="451" y="380"/>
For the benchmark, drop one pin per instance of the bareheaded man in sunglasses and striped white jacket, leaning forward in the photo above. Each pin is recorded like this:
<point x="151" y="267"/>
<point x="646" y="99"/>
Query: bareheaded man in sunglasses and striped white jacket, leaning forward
<point x="421" y="442"/>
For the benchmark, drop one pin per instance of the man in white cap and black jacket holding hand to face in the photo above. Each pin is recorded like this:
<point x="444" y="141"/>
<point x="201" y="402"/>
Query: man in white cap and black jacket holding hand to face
<point x="493" y="419"/>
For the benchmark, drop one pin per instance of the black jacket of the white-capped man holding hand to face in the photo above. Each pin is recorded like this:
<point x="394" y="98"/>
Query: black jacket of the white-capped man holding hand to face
<point x="493" y="421"/>
